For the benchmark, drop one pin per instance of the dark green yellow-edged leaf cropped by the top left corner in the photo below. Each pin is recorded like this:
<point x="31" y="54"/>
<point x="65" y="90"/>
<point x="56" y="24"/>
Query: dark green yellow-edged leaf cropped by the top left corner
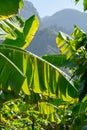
<point x="9" y="7"/>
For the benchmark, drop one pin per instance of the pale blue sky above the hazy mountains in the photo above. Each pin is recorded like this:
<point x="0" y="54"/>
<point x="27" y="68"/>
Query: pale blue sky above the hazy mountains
<point x="49" y="7"/>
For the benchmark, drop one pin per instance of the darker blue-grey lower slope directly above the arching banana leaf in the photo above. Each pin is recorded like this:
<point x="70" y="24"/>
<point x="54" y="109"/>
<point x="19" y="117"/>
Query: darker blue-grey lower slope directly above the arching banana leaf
<point x="44" y="42"/>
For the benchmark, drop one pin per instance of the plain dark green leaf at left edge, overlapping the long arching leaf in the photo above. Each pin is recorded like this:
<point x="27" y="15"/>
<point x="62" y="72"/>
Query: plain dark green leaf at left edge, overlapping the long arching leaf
<point x="10" y="75"/>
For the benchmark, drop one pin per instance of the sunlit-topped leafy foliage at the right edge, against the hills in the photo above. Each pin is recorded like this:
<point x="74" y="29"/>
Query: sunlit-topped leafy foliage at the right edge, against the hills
<point x="75" y="49"/>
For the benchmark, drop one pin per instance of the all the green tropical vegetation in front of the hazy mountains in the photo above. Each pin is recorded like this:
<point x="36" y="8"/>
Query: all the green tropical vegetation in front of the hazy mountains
<point x="35" y="92"/>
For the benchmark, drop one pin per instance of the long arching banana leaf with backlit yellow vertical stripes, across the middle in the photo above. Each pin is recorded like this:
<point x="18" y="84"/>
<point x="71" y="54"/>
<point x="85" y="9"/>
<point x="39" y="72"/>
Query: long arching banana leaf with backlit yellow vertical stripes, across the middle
<point x="42" y="77"/>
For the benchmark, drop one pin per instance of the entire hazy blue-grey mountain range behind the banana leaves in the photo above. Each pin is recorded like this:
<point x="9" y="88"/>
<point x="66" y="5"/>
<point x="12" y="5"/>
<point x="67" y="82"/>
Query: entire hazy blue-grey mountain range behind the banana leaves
<point x="64" y="20"/>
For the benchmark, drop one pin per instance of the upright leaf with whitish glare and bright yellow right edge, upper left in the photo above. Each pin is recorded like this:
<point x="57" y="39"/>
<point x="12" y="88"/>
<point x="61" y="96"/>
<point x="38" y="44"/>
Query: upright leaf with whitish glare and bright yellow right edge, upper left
<point x="19" y="33"/>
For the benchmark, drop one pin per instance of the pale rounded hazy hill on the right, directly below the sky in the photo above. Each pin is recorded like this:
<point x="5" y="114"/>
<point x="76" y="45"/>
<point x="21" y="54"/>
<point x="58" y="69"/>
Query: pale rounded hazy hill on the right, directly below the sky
<point x="64" y="20"/>
